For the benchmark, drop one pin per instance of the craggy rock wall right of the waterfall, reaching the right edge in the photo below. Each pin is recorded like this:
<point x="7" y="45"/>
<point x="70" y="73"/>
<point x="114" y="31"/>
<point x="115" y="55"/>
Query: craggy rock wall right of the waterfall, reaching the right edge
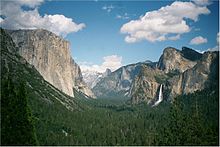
<point x="196" y="78"/>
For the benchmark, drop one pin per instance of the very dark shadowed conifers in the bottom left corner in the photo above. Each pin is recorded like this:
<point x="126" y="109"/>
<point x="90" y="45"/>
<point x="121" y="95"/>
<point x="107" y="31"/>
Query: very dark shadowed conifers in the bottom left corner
<point x="16" y="119"/>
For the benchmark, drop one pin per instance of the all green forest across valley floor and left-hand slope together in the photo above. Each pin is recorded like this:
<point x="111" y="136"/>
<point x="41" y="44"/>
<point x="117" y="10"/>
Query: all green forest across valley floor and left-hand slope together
<point x="190" y="120"/>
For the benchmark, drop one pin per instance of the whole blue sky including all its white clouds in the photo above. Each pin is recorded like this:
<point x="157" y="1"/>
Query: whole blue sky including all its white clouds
<point x="110" y="34"/>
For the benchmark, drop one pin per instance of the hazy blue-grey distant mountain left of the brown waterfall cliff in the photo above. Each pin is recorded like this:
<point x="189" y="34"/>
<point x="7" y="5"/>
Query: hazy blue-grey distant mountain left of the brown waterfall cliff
<point x="117" y="83"/>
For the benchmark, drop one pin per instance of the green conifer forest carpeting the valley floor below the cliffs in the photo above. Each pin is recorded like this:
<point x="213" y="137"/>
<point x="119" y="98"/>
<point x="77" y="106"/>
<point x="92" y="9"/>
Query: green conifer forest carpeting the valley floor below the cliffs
<point x="189" y="120"/>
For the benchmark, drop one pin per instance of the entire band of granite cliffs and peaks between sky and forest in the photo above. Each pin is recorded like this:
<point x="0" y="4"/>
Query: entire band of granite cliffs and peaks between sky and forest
<point x="178" y="71"/>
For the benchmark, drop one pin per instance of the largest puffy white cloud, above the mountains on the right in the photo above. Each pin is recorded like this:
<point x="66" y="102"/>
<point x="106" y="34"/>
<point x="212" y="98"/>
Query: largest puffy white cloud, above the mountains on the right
<point x="169" y="20"/>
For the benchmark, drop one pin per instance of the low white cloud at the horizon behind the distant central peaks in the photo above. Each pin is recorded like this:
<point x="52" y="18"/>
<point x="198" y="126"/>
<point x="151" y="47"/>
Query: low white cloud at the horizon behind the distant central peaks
<point x="112" y="62"/>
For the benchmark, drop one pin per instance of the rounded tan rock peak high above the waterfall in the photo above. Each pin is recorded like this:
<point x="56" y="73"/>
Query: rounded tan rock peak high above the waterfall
<point x="173" y="60"/>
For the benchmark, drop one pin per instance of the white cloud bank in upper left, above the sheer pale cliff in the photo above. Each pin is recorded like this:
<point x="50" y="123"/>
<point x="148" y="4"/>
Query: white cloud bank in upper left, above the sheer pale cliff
<point x="17" y="18"/>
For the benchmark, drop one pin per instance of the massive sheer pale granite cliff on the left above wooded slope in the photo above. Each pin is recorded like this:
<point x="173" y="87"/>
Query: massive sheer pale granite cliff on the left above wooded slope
<point x="50" y="55"/>
